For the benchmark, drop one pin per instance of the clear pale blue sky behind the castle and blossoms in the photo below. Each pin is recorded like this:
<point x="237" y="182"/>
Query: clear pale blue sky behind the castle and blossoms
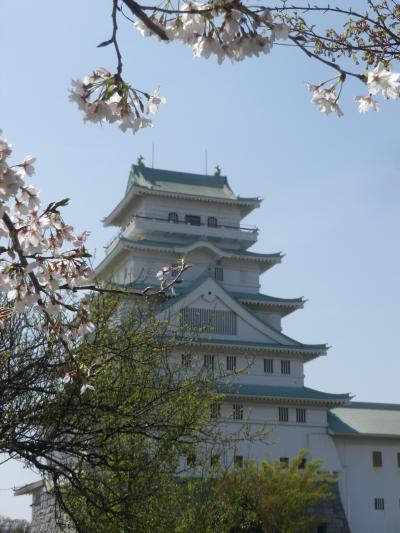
<point x="330" y="186"/>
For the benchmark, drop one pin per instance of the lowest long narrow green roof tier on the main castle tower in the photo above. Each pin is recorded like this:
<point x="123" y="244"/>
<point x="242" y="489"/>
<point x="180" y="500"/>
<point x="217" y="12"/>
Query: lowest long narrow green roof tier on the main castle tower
<point x="292" y="393"/>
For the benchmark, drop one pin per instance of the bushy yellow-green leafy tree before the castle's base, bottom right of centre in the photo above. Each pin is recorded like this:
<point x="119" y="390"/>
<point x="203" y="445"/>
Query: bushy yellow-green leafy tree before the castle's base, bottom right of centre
<point x="273" y="497"/>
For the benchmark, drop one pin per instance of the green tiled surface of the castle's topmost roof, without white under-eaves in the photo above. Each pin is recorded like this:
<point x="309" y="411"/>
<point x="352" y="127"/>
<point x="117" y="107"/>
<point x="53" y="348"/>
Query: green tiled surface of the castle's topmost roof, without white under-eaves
<point x="171" y="181"/>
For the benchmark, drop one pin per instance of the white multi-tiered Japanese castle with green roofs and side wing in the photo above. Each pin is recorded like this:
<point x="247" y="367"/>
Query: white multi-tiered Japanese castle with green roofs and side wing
<point x="165" y="215"/>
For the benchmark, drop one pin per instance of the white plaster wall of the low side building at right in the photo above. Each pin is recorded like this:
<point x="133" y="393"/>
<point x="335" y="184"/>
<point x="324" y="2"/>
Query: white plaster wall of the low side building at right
<point x="360" y="483"/>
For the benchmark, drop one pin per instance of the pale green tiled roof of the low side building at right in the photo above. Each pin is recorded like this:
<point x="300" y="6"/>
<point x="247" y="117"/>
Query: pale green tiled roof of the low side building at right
<point x="361" y="419"/>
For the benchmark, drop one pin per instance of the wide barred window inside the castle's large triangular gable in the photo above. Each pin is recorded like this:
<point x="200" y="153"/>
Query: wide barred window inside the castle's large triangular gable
<point x="221" y="322"/>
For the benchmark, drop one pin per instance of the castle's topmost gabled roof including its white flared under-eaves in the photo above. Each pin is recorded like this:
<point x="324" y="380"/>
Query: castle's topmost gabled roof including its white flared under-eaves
<point x="150" y="181"/>
